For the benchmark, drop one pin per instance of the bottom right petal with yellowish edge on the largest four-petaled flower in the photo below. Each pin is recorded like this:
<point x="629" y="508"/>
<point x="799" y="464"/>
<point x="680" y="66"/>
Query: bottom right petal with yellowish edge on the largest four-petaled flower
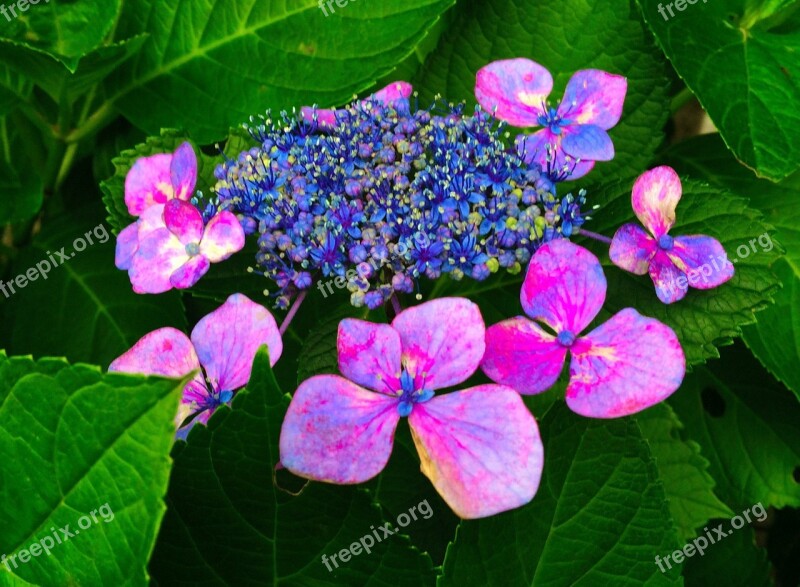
<point x="480" y="448"/>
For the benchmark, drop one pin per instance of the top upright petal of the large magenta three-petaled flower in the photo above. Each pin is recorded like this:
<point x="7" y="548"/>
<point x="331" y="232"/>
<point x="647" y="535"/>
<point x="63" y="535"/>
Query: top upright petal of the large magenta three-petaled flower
<point x="565" y="286"/>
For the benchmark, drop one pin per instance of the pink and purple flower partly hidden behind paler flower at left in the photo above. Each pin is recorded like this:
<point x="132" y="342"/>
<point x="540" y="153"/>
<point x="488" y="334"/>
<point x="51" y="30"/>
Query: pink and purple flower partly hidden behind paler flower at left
<point x="160" y="178"/>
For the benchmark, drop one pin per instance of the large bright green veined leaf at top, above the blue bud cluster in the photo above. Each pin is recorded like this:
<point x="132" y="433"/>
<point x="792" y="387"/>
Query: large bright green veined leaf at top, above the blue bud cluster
<point x="256" y="56"/>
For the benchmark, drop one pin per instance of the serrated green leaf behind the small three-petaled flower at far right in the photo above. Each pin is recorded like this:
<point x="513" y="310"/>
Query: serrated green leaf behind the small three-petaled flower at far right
<point x="704" y="319"/>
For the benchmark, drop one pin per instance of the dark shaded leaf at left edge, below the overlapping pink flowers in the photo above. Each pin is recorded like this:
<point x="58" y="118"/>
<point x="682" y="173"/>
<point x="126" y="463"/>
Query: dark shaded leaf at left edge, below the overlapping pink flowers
<point x="83" y="308"/>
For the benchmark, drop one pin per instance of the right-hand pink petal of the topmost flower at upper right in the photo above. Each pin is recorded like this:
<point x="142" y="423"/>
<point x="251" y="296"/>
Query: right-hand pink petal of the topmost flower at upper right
<point x="594" y="97"/>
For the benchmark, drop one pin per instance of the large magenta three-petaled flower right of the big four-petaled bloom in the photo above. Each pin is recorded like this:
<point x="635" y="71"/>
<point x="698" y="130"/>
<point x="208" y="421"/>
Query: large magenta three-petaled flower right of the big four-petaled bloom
<point x="623" y="366"/>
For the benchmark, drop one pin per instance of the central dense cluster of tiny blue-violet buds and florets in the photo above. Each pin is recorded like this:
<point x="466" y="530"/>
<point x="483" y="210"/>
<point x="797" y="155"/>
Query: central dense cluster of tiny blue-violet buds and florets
<point x="392" y="191"/>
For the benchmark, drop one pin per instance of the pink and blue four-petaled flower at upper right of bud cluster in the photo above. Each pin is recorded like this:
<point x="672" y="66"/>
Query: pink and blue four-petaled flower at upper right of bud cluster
<point x="573" y="135"/>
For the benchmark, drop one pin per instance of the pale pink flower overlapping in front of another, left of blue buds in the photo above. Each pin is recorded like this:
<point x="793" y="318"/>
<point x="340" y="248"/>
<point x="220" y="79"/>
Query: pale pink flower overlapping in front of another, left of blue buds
<point x="173" y="248"/>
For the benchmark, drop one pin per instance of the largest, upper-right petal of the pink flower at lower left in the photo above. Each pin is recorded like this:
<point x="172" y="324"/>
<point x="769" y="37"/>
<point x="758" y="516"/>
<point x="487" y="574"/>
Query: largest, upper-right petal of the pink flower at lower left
<point x="228" y="338"/>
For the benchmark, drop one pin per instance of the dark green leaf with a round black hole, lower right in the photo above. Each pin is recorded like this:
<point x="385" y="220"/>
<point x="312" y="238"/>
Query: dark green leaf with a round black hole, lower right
<point x="746" y="425"/>
